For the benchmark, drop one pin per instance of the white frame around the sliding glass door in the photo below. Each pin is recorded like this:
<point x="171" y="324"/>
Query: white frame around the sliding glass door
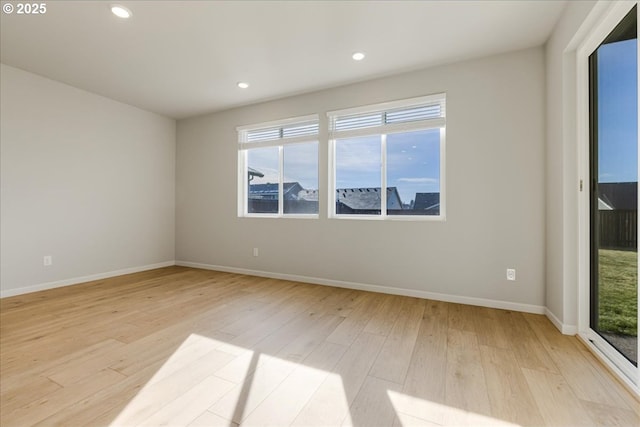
<point x="597" y="33"/>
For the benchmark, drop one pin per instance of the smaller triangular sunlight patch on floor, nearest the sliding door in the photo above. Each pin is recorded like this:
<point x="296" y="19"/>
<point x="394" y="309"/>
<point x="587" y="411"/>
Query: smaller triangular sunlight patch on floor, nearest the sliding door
<point x="415" y="411"/>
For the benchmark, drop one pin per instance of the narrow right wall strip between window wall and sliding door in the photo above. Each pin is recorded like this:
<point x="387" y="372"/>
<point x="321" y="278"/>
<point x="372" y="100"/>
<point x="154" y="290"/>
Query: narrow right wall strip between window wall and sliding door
<point x="562" y="168"/>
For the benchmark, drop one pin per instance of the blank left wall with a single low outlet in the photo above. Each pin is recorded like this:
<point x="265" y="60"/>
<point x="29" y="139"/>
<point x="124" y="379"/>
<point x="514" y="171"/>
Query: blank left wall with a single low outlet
<point x="85" y="179"/>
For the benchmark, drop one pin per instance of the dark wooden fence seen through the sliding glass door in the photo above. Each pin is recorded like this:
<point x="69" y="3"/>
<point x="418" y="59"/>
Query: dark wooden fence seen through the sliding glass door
<point x="619" y="229"/>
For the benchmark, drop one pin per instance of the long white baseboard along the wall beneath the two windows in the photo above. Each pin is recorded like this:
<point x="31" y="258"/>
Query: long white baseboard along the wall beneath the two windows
<point x="506" y="305"/>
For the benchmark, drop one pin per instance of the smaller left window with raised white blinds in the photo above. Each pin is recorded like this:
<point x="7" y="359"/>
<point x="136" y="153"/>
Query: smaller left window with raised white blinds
<point x="278" y="164"/>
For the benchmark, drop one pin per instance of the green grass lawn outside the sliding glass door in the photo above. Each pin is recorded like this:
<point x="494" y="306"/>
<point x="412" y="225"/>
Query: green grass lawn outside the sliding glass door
<point x="619" y="292"/>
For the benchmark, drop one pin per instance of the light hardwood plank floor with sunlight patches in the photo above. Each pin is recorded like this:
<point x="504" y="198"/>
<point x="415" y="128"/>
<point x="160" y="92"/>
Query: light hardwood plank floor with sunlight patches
<point x="181" y="346"/>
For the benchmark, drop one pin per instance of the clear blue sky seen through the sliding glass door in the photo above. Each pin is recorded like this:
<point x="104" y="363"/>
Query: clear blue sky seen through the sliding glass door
<point x="618" y="112"/>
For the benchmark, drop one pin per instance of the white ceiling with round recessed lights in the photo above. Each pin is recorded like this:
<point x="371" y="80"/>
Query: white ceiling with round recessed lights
<point x="183" y="58"/>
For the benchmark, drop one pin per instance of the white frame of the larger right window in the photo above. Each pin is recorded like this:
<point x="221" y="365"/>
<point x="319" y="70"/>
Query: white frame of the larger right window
<point x="384" y="130"/>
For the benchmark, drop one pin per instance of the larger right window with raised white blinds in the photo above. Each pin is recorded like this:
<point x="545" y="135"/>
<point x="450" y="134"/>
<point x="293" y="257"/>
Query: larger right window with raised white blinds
<point x="387" y="160"/>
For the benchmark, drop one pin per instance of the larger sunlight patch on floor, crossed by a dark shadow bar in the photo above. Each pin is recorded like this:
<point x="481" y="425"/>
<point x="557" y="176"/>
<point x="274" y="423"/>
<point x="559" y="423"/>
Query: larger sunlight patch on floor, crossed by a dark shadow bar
<point x="211" y="378"/>
